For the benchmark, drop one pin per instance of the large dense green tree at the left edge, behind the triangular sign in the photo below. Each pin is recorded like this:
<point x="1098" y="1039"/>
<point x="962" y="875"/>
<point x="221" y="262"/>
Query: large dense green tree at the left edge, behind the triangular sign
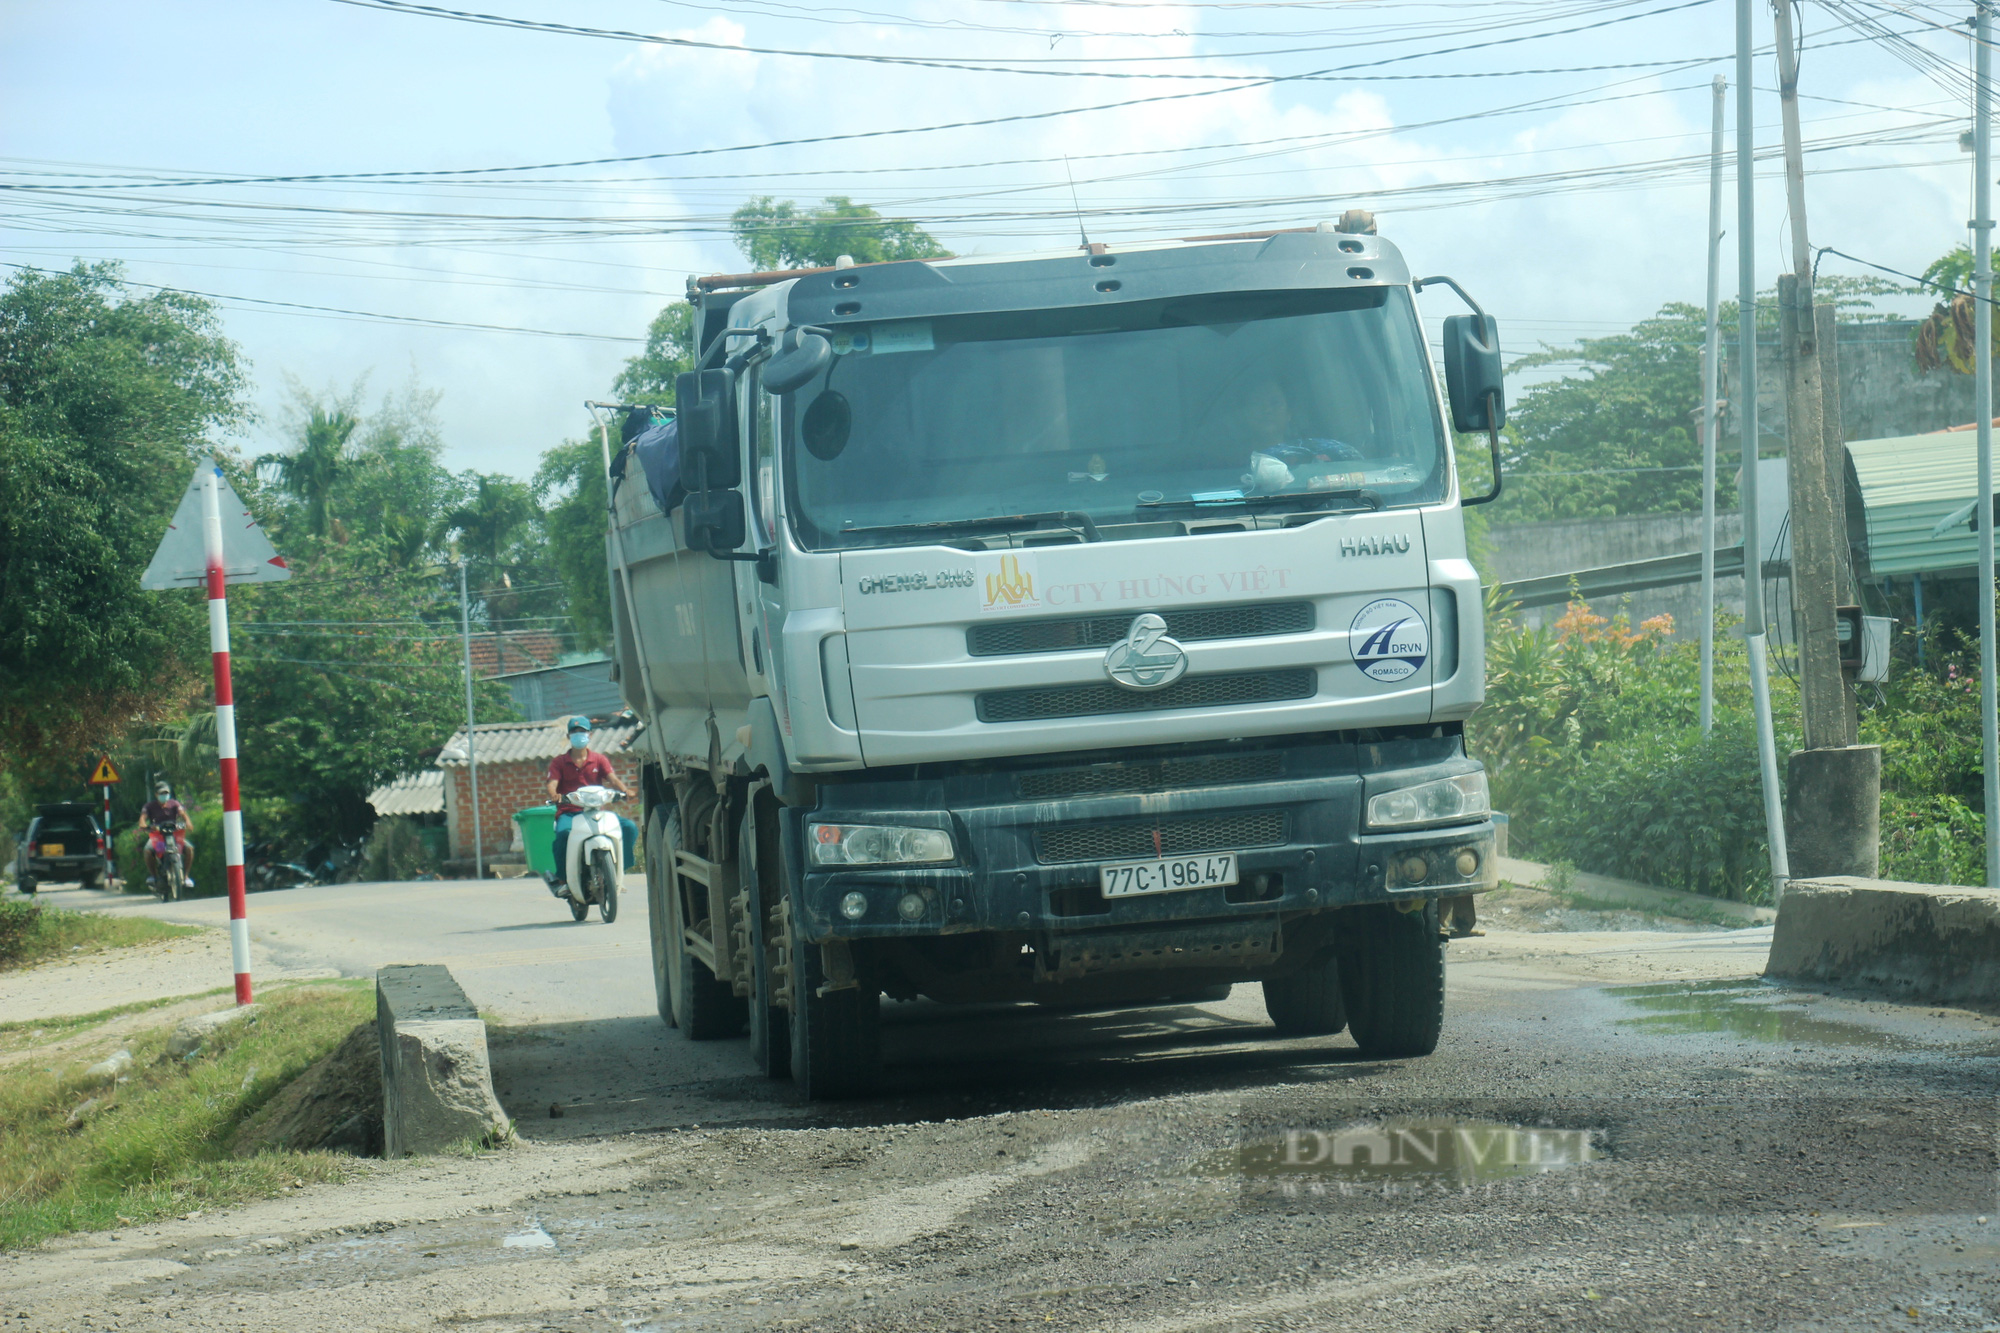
<point x="107" y="401"/>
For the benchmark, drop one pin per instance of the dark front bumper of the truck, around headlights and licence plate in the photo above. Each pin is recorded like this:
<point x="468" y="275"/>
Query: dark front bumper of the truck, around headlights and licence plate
<point x="1033" y="864"/>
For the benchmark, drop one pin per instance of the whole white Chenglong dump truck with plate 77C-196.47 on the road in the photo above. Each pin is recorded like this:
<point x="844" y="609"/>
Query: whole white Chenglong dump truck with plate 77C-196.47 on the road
<point x="1083" y="627"/>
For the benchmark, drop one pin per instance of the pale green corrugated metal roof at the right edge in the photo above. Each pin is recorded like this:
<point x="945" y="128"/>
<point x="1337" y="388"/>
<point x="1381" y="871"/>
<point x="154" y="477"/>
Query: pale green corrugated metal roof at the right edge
<point x="1909" y="483"/>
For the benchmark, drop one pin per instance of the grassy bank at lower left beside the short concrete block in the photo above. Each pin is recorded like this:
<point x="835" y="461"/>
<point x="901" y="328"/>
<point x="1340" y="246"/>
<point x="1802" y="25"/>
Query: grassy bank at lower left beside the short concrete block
<point x="117" y="1144"/>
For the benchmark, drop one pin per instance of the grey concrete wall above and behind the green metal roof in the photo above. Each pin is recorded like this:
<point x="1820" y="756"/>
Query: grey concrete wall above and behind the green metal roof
<point x="1881" y="391"/>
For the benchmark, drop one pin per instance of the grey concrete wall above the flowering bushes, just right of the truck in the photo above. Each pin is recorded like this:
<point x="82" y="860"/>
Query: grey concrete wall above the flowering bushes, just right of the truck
<point x="1535" y="549"/>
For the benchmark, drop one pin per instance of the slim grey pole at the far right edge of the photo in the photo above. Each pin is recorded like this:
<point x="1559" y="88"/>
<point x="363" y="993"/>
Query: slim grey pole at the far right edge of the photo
<point x="1983" y="369"/>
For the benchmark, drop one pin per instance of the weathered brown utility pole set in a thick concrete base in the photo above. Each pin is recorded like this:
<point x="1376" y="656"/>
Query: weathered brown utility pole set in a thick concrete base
<point x="1833" y="820"/>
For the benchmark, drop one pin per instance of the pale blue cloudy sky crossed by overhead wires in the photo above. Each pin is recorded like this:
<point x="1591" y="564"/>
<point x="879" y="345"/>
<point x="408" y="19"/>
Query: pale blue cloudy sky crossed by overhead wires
<point x="1471" y="175"/>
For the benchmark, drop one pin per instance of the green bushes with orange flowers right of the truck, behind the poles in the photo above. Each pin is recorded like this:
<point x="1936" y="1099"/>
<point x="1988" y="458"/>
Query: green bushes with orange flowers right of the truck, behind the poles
<point x="1593" y="744"/>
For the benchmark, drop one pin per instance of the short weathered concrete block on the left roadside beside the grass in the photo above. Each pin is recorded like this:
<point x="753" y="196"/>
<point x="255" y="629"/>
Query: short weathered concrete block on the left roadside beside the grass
<point x="437" y="1082"/>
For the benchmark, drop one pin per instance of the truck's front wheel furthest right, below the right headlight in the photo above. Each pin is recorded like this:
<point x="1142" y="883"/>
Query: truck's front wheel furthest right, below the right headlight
<point x="1393" y="980"/>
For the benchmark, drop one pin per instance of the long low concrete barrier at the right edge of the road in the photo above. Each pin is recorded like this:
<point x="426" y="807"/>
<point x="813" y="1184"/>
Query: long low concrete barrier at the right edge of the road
<point x="1919" y="942"/>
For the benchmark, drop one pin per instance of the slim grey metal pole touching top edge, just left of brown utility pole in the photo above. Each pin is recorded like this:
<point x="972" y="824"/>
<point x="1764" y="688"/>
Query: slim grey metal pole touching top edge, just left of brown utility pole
<point x="1767" y="748"/>
